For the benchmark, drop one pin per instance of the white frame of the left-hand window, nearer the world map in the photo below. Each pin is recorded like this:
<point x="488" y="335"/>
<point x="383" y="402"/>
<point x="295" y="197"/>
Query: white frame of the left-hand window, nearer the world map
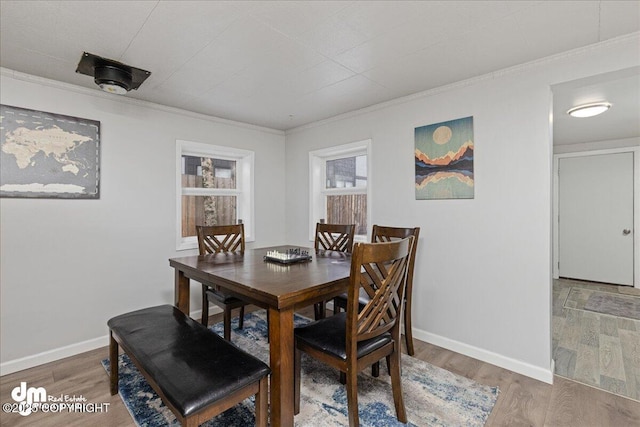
<point x="244" y="186"/>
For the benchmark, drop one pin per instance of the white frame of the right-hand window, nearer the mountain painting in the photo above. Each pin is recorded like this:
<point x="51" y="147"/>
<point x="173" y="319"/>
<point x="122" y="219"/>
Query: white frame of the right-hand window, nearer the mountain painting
<point x="317" y="182"/>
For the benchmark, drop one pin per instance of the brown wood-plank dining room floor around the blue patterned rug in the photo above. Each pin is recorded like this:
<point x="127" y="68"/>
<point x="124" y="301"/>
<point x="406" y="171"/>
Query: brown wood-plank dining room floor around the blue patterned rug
<point x="522" y="400"/>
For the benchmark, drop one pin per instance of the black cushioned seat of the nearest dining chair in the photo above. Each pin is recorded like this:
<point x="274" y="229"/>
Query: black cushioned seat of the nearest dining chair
<point x="329" y="336"/>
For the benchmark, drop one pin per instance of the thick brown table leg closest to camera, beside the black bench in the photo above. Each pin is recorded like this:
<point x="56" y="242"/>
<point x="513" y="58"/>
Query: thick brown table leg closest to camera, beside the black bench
<point x="281" y="353"/>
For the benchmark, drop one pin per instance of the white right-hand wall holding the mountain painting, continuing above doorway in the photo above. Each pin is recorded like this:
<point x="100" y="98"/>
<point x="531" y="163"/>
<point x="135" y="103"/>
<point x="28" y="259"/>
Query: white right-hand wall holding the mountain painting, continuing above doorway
<point x="483" y="271"/>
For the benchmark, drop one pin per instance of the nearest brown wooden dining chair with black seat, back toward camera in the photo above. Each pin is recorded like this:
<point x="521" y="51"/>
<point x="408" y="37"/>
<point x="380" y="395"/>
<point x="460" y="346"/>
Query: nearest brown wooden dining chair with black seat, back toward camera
<point x="353" y="340"/>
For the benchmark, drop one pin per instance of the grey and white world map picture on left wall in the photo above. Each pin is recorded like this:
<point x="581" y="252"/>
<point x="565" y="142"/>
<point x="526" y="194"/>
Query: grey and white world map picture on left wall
<point x="48" y="155"/>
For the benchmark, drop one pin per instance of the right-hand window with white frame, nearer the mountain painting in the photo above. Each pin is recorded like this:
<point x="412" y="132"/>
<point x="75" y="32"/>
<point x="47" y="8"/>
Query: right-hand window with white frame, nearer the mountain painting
<point x="340" y="190"/>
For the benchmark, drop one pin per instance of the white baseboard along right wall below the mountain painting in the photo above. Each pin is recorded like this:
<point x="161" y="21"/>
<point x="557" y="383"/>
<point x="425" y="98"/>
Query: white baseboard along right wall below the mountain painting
<point x="535" y="372"/>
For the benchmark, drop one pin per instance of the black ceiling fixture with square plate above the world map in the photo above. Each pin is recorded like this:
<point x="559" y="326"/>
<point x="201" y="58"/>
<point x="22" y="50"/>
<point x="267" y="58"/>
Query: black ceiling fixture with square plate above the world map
<point x="111" y="76"/>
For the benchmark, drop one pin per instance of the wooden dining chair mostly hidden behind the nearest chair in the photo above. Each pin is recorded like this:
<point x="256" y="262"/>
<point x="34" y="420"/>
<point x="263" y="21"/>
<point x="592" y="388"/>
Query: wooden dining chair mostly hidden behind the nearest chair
<point x="388" y="234"/>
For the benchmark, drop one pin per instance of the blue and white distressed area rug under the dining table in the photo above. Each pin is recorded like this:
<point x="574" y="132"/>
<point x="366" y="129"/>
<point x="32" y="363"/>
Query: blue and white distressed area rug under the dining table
<point x="432" y="396"/>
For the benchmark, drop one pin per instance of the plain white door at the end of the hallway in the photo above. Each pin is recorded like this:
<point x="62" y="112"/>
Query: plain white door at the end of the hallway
<point x="595" y="208"/>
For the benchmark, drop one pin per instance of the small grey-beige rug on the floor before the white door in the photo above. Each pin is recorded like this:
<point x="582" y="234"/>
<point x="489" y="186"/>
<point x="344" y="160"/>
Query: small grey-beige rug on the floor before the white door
<point x="627" y="306"/>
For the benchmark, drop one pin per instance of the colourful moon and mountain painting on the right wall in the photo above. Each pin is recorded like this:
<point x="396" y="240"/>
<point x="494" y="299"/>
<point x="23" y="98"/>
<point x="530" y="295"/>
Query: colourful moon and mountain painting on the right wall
<point x="444" y="160"/>
